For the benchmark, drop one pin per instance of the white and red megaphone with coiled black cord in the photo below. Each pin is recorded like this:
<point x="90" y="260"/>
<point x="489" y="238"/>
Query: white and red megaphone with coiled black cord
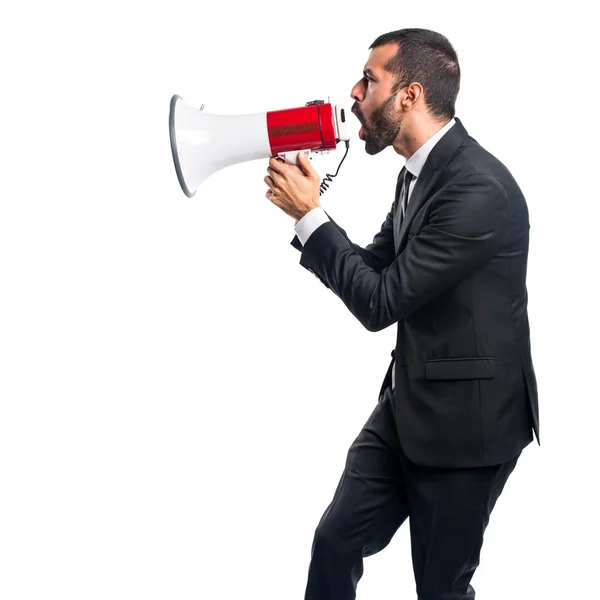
<point x="203" y="143"/>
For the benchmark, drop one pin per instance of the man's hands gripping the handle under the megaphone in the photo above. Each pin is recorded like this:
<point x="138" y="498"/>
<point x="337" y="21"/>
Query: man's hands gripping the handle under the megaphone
<point x="293" y="188"/>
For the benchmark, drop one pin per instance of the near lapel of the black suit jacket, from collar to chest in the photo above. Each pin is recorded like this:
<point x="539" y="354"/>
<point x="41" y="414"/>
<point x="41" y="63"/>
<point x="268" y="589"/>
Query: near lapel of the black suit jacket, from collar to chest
<point x="436" y="161"/>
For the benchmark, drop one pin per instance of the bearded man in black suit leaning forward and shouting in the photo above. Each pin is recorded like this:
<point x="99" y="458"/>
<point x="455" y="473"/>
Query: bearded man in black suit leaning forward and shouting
<point x="459" y="400"/>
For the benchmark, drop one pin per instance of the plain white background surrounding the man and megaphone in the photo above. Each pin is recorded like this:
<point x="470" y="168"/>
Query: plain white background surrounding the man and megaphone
<point x="177" y="393"/>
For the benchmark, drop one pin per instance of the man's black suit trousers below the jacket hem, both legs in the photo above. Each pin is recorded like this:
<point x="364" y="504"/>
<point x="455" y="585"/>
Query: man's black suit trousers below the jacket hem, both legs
<point x="448" y="511"/>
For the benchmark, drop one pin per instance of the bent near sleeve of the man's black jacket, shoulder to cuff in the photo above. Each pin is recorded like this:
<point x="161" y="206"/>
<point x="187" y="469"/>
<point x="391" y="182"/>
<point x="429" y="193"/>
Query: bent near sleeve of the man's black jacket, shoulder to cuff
<point x="467" y="227"/>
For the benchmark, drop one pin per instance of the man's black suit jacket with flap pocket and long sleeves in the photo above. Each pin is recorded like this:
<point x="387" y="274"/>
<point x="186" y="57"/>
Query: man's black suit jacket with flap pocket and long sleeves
<point x="452" y="276"/>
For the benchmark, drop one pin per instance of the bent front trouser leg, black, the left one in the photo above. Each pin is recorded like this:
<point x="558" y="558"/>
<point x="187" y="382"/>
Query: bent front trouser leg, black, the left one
<point x="367" y="508"/>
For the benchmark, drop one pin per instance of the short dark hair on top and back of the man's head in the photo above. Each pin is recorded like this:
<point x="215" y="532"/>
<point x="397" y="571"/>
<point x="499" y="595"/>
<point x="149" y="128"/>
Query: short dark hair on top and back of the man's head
<point x="428" y="58"/>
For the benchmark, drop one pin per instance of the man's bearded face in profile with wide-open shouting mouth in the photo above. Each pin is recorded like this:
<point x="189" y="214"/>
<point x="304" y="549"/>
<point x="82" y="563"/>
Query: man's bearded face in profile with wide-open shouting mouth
<point x="374" y="105"/>
